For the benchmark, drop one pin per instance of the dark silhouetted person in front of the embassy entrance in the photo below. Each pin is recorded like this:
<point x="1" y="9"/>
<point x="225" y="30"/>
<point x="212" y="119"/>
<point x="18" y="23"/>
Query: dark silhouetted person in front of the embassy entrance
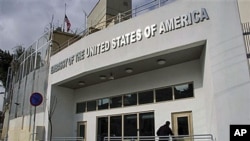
<point x="164" y="130"/>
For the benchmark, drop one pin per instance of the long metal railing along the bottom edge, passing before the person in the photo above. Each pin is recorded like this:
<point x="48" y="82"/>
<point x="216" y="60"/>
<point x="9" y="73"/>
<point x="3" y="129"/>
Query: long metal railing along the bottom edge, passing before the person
<point x="200" y="137"/>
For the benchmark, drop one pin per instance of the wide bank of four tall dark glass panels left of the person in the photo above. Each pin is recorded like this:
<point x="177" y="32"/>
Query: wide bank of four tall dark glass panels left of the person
<point x="126" y="127"/>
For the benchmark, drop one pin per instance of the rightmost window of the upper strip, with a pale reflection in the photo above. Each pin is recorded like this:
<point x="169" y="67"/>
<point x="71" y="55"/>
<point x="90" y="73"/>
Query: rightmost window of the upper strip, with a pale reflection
<point x="183" y="91"/>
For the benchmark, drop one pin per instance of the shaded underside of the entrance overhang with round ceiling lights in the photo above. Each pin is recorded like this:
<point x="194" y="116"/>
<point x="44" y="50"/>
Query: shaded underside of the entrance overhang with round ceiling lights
<point x="138" y="65"/>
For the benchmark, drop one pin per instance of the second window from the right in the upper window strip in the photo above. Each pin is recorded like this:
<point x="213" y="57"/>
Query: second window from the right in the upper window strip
<point x="163" y="94"/>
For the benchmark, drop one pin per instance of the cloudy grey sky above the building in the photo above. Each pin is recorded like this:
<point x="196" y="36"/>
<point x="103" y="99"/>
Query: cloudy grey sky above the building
<point x="24" y="21"/>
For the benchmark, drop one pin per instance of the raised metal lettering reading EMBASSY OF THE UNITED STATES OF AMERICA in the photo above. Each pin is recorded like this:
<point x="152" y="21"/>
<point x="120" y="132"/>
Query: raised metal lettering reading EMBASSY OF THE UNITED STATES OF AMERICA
<point x="191" y="18"/>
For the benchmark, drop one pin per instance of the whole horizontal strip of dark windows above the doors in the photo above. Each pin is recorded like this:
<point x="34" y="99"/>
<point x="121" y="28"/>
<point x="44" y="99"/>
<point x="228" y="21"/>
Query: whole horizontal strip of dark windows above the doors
<point x="169" y="93"/>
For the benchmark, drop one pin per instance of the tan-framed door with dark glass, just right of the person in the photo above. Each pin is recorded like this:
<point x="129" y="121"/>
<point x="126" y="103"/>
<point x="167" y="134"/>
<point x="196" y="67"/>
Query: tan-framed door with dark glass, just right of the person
<point x="182" y="124"/>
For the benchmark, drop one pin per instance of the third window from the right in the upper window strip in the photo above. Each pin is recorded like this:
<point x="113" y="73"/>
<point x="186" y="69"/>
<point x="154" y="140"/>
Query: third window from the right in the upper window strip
<point x="146" y="97"/>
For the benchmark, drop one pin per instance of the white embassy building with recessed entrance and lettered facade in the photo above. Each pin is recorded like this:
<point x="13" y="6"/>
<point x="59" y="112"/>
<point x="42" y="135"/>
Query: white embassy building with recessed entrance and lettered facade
<point x="184" y="62"/>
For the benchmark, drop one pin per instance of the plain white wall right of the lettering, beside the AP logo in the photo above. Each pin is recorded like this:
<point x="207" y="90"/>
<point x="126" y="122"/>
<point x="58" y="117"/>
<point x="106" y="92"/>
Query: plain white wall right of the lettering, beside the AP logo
<point x="229" y="69"/>
